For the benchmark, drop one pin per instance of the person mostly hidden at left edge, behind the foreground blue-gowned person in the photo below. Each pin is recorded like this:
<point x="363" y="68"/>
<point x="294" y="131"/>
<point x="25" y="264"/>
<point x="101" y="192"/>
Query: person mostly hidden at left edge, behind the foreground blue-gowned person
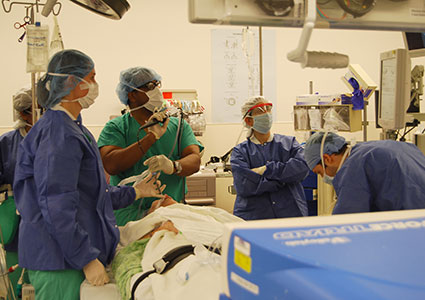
<point x="9" y="142"/>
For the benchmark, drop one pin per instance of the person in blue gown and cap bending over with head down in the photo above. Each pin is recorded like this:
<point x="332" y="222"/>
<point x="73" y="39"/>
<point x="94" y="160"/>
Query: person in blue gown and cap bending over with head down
<point x="370" y="176"/>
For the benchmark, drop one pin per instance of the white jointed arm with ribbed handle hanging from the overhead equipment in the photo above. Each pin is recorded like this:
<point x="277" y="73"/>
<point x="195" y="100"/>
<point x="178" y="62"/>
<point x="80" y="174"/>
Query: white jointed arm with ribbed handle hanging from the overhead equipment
<point x="315" y="59"/>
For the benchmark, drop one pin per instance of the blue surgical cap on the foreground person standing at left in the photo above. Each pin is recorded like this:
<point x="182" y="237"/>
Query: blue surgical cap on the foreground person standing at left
<point x="52" y="88"/>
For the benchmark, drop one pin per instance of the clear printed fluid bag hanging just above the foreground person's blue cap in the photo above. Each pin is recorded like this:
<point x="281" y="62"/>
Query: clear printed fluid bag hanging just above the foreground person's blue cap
<point x="37" y="48"/>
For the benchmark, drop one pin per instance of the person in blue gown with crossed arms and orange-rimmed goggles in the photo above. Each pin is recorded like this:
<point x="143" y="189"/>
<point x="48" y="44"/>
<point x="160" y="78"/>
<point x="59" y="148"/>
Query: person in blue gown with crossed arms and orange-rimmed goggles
<point x="267" y="168"/>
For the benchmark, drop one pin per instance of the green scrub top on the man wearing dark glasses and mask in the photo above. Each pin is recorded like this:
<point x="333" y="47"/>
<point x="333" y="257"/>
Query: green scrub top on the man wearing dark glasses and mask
<point x="122" y="132"/>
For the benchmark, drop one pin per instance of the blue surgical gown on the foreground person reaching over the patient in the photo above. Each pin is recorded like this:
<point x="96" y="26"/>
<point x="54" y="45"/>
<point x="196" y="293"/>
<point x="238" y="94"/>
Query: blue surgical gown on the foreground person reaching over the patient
<point x="61" y="192"/>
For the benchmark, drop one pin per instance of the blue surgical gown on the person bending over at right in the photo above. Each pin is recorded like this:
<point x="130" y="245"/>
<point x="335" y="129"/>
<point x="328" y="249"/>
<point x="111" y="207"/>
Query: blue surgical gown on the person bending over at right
<point x="381" y="176"/>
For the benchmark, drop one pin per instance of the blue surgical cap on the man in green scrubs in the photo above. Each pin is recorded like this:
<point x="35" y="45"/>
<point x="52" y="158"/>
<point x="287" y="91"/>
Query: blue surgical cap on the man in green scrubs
<point x="134" y="78"/>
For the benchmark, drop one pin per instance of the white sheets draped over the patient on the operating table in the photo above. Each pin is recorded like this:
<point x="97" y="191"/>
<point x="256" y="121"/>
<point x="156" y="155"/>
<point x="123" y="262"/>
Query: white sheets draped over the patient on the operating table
<point x="198" y="226"/>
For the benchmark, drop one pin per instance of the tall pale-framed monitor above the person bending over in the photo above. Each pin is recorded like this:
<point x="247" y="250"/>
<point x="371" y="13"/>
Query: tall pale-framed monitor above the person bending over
<point x="394" y="91"/>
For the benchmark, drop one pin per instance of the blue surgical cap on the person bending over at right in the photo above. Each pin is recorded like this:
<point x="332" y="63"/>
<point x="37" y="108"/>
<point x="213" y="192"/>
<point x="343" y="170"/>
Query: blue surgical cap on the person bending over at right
<point x="333" y="143"/>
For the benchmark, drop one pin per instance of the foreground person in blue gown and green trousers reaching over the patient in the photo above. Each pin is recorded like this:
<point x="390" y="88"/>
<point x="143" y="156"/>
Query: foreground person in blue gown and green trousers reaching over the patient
<point x="68" y="230"/>
